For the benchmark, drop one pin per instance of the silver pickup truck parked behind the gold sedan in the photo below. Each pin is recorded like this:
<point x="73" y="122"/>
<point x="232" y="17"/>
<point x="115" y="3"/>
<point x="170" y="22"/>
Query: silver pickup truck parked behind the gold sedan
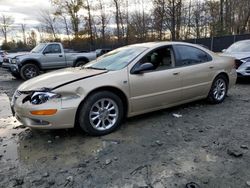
<point x="46" y="56"/>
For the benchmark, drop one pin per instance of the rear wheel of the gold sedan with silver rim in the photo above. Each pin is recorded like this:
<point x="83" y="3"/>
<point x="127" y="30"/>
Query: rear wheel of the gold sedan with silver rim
<point x="219" y="89"/>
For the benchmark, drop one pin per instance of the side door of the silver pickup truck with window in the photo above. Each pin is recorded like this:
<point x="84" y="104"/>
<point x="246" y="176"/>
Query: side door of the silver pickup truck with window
<point x="53" y="57"/>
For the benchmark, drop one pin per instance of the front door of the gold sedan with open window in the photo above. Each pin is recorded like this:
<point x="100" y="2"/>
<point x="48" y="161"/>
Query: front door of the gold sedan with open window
<point x="160" y="87"/>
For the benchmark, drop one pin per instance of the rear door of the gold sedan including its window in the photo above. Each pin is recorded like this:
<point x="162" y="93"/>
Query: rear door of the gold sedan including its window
<point x="196" y="69"/>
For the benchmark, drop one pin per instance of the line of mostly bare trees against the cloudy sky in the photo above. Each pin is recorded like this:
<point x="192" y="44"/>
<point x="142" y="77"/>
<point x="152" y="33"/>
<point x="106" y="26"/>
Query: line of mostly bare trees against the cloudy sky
<point x="101" y="23"/>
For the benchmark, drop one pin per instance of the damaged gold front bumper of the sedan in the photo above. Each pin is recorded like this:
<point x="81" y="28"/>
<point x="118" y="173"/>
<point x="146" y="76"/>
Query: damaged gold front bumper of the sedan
<point x="23" y="111"/>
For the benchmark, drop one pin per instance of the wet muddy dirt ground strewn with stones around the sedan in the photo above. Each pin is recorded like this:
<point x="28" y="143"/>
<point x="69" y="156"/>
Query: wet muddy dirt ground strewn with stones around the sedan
<point x="209" y="145"/>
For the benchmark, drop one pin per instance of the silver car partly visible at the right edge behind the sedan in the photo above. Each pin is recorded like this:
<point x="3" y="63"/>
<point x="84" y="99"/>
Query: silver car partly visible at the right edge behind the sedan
<point x="241" y="51"/>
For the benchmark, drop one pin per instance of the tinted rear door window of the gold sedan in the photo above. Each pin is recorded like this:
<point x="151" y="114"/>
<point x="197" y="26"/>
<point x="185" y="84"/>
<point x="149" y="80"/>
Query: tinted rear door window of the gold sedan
<point x="188" y="55"/>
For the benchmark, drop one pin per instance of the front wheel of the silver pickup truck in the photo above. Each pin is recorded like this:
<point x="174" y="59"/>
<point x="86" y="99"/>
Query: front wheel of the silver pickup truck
<point x="29" y="71"/>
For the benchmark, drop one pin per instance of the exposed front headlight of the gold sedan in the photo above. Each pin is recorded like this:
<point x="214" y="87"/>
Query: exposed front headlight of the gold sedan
<point x="42" y="97"/>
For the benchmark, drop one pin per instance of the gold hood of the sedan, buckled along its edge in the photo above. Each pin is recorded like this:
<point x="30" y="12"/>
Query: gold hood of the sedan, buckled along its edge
<point x="58" y="78"/>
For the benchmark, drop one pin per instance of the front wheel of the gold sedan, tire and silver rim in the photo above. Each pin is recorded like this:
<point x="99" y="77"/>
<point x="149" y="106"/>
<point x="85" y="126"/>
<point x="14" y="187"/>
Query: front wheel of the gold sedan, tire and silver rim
<point x="101" y="121"/>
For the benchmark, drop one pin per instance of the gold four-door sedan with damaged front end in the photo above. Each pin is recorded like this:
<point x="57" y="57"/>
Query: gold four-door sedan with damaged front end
<point x="128" y="81"/>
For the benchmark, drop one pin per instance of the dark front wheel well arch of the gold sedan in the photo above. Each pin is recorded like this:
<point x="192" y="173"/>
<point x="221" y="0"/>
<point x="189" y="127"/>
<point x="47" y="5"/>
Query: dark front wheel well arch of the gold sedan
<point x="114" y="90"/>
